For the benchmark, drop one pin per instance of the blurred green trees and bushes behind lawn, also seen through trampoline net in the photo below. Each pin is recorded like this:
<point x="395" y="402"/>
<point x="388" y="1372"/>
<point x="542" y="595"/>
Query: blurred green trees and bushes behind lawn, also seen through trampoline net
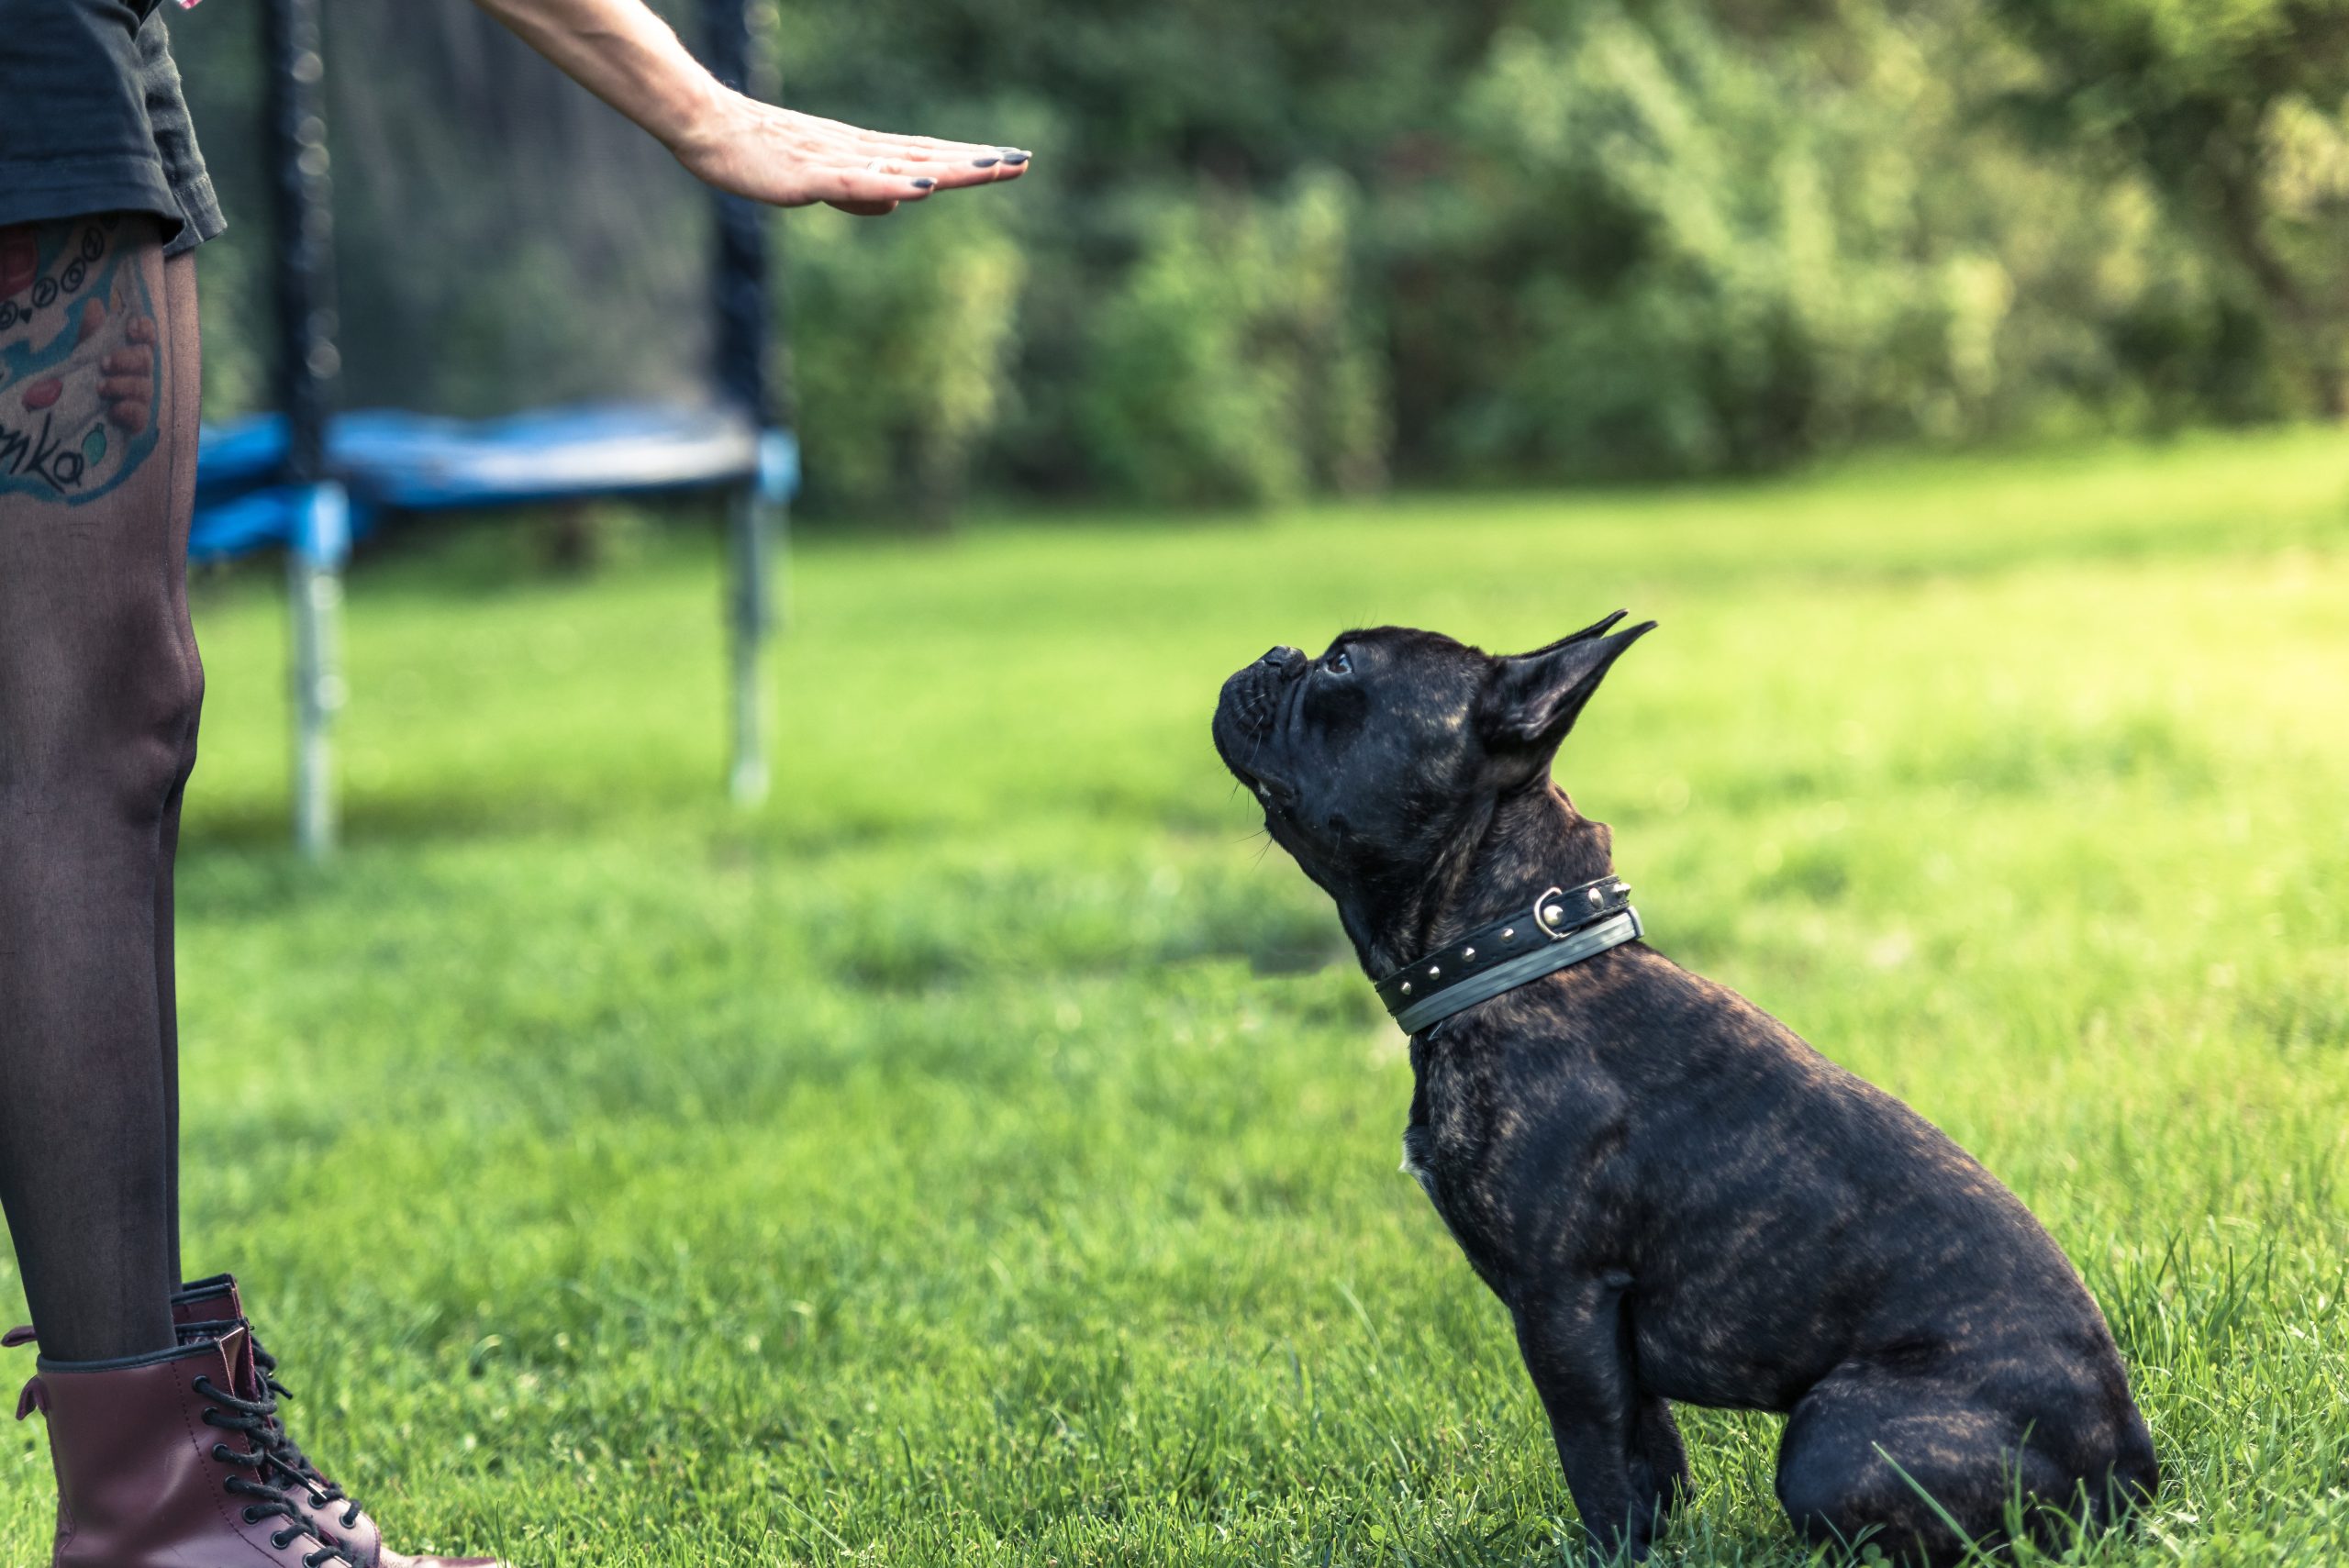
<point x="1333" y="245"/>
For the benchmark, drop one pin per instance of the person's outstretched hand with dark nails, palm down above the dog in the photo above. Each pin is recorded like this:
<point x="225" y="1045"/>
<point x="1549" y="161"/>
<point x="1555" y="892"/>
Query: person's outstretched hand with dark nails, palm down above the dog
<point x="795" y="161"/>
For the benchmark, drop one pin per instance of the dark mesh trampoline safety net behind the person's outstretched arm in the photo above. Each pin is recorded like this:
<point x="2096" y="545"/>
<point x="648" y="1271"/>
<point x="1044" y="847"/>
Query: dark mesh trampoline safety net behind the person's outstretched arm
<point x="502" y="238"/>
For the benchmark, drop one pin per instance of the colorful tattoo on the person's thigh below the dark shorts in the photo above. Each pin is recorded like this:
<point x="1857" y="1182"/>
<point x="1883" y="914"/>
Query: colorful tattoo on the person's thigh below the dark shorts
<point x="79" y="388"/>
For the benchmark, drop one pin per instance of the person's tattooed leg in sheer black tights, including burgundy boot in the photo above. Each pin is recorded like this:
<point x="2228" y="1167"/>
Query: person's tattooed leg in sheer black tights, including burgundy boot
<point x="100" y="694"/>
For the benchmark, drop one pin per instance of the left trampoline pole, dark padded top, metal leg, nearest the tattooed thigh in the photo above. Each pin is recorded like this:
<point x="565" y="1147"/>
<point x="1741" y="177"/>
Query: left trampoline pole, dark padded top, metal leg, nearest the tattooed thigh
<point x="307" y="363"/>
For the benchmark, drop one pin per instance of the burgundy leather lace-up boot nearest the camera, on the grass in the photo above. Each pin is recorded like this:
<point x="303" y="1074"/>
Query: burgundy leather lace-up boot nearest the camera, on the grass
<point x="161" y="1464"/>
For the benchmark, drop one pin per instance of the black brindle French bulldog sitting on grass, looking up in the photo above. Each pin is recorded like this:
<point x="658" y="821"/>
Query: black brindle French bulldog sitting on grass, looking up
<point x="1671" y="1191"/>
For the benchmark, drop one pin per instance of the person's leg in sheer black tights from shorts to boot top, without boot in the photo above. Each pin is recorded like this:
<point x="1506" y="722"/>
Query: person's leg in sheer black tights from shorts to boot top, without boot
<point x="100" y="694"/>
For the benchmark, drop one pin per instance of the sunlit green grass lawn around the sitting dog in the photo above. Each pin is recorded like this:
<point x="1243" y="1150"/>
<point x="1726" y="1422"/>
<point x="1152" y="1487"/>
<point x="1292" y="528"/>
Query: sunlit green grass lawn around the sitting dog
<point x="988" y="1156"/>
